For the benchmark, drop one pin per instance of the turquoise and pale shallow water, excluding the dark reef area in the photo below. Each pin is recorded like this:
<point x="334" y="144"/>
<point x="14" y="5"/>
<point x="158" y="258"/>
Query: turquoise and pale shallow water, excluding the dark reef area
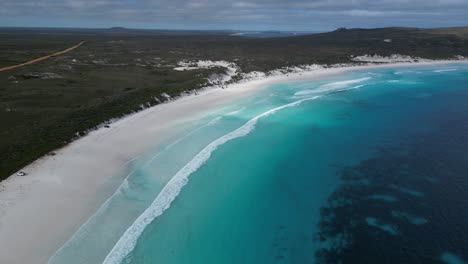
<point x="254" y="181"/>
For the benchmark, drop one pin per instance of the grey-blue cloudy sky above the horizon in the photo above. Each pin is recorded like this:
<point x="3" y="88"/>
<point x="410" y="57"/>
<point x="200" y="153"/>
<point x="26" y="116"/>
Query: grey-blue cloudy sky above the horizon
<point x="286" y="15"/>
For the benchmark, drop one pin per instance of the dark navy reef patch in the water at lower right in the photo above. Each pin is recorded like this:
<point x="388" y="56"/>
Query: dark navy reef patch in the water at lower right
<point x="406" y="204"/>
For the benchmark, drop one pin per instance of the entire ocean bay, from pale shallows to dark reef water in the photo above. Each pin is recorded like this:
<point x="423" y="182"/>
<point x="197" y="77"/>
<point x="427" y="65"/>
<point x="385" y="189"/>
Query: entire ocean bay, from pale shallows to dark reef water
<point x="370" y="166"/>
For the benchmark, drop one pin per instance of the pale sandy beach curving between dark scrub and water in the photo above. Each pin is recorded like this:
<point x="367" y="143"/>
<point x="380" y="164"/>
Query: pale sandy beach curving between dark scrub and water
<point x="39" y="212"/>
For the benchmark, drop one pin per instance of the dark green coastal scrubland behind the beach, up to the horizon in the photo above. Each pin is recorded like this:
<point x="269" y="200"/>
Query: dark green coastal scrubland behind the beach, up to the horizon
<point x="45" y="105"/>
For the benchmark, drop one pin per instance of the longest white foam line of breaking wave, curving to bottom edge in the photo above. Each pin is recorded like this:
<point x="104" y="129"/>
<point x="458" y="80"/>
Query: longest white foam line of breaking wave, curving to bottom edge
<point x="172" y="189"/>
